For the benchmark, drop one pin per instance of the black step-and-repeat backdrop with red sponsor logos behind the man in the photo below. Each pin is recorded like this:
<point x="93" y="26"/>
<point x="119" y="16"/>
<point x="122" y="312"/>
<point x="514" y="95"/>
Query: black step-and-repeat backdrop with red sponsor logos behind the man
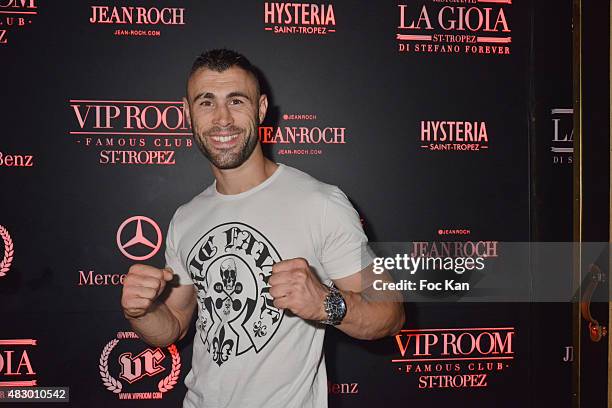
<point x="445" y="122"/>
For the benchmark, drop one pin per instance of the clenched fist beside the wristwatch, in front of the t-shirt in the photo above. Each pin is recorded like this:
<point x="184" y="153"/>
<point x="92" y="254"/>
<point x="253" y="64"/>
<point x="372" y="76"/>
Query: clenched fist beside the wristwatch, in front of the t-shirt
<point x="294" y="286"/>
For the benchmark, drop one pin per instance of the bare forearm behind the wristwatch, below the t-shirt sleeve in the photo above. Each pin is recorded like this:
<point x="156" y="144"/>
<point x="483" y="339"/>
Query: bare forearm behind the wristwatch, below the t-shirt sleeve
<point x="370" y="319"/>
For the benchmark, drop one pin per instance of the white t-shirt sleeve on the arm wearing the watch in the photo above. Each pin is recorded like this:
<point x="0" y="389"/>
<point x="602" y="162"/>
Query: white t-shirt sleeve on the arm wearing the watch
<point x="344" y="251"/>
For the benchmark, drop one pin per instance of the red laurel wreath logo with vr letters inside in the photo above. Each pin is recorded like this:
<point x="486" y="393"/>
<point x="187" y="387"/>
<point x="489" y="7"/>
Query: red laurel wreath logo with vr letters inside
<point x="137" y="369"/>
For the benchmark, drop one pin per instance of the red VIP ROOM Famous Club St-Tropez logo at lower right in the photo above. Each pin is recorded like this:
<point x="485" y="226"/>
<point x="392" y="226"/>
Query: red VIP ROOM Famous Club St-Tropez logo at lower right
<point x="454" y="358"/>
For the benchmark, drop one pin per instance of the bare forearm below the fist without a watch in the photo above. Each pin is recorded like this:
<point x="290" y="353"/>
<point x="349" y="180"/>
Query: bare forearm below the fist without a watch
<point x="159" y="327"/>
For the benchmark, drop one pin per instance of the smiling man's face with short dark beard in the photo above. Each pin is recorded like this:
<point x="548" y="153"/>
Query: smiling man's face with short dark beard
<point x="225" y="109"/>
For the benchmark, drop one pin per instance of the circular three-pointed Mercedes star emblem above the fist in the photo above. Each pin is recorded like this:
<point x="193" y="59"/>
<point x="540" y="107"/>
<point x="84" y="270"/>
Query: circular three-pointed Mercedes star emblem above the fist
<point x="132" y="238"/>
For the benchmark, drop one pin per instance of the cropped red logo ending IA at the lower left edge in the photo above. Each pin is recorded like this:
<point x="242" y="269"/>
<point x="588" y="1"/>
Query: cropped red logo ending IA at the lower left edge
<point x="16" y="368"/>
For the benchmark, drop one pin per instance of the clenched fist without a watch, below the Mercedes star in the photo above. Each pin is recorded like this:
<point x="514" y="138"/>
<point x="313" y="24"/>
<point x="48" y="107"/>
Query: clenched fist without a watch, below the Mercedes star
<point x="141" y="286"/>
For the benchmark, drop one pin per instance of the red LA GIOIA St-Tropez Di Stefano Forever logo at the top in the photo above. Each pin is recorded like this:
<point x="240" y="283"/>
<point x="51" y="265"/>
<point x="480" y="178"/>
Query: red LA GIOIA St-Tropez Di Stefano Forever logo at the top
<point x="455" y="27"/>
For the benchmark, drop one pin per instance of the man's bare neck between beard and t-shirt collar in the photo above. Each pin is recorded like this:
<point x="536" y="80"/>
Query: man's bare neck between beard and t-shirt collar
<point x="250" y="174"/>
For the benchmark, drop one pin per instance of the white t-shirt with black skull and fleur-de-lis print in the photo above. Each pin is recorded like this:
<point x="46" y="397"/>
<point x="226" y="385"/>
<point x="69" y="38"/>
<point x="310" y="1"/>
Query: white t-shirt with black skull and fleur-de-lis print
<point x="246" y="352"/>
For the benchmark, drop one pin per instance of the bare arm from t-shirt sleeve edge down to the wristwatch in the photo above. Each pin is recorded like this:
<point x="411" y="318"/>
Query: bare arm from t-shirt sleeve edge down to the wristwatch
<point x="370" y="314"/>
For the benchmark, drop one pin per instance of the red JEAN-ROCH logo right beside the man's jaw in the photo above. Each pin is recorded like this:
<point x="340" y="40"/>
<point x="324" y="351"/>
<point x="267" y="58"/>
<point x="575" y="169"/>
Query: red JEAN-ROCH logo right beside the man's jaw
<point x="298" y="135"/>
